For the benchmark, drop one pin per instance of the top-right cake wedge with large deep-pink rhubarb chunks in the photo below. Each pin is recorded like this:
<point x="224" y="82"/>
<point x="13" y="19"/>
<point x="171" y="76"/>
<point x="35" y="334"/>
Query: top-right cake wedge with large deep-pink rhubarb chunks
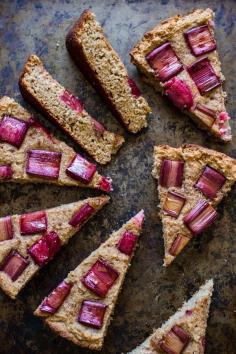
<point x="179" y="58"/>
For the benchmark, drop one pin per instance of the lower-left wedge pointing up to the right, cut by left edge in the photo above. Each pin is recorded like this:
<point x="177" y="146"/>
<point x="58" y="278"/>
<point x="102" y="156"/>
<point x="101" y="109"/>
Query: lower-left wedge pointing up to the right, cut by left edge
<point x="29" y="241"/>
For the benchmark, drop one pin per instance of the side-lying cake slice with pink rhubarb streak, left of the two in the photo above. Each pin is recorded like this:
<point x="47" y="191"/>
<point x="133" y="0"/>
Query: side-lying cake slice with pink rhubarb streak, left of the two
<point x="41" y="90"/>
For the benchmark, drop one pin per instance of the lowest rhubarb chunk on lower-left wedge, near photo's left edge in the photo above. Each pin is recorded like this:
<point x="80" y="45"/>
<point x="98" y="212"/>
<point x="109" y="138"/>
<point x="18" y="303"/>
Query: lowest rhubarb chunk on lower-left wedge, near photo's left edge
<point x="14" y="265"/>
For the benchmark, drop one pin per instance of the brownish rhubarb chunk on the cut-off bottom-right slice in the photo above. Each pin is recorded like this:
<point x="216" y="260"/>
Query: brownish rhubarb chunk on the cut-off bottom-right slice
<point x="175" y="341"/>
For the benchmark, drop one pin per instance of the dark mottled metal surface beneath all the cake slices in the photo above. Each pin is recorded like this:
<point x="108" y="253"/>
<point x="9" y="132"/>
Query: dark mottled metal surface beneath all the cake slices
<point x="151" y="293"/>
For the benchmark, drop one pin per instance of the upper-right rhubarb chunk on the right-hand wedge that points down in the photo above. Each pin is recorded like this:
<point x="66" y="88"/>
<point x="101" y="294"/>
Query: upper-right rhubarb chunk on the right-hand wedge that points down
<point x="210" y="182"/>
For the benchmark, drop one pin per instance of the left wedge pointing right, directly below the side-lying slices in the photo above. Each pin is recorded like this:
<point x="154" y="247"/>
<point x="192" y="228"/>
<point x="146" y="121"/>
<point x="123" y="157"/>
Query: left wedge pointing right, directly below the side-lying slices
<point x="30" y="154"/>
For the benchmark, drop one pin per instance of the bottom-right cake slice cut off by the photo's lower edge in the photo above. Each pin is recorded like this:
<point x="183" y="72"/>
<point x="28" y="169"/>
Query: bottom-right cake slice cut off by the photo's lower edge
<point x="185" y="331"/>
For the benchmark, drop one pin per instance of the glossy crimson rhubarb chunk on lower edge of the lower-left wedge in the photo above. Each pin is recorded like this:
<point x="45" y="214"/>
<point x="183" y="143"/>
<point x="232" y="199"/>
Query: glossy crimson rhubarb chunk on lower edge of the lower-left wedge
<point x="45" y="248"/>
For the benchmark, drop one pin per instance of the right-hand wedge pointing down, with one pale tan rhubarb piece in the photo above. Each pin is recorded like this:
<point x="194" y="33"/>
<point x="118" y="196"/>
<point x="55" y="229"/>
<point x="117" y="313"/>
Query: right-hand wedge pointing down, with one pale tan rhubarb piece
<point x="192" y="180"/>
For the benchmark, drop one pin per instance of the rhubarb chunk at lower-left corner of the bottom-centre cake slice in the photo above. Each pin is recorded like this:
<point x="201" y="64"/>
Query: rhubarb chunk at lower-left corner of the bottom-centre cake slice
<point x="54" y="300"/>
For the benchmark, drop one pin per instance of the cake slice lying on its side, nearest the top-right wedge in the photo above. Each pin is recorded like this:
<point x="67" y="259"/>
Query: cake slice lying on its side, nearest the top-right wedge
<point x="100" y="63"/>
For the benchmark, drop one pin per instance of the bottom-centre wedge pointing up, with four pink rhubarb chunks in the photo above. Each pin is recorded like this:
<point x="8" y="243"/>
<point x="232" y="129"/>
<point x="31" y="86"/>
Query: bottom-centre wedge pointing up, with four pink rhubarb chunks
<point x="81" y="307"/>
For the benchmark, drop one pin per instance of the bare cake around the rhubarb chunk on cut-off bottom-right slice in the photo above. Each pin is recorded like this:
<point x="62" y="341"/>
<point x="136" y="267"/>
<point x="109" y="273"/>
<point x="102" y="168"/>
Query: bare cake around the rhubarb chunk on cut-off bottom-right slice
<point x="192" y="317"/>
